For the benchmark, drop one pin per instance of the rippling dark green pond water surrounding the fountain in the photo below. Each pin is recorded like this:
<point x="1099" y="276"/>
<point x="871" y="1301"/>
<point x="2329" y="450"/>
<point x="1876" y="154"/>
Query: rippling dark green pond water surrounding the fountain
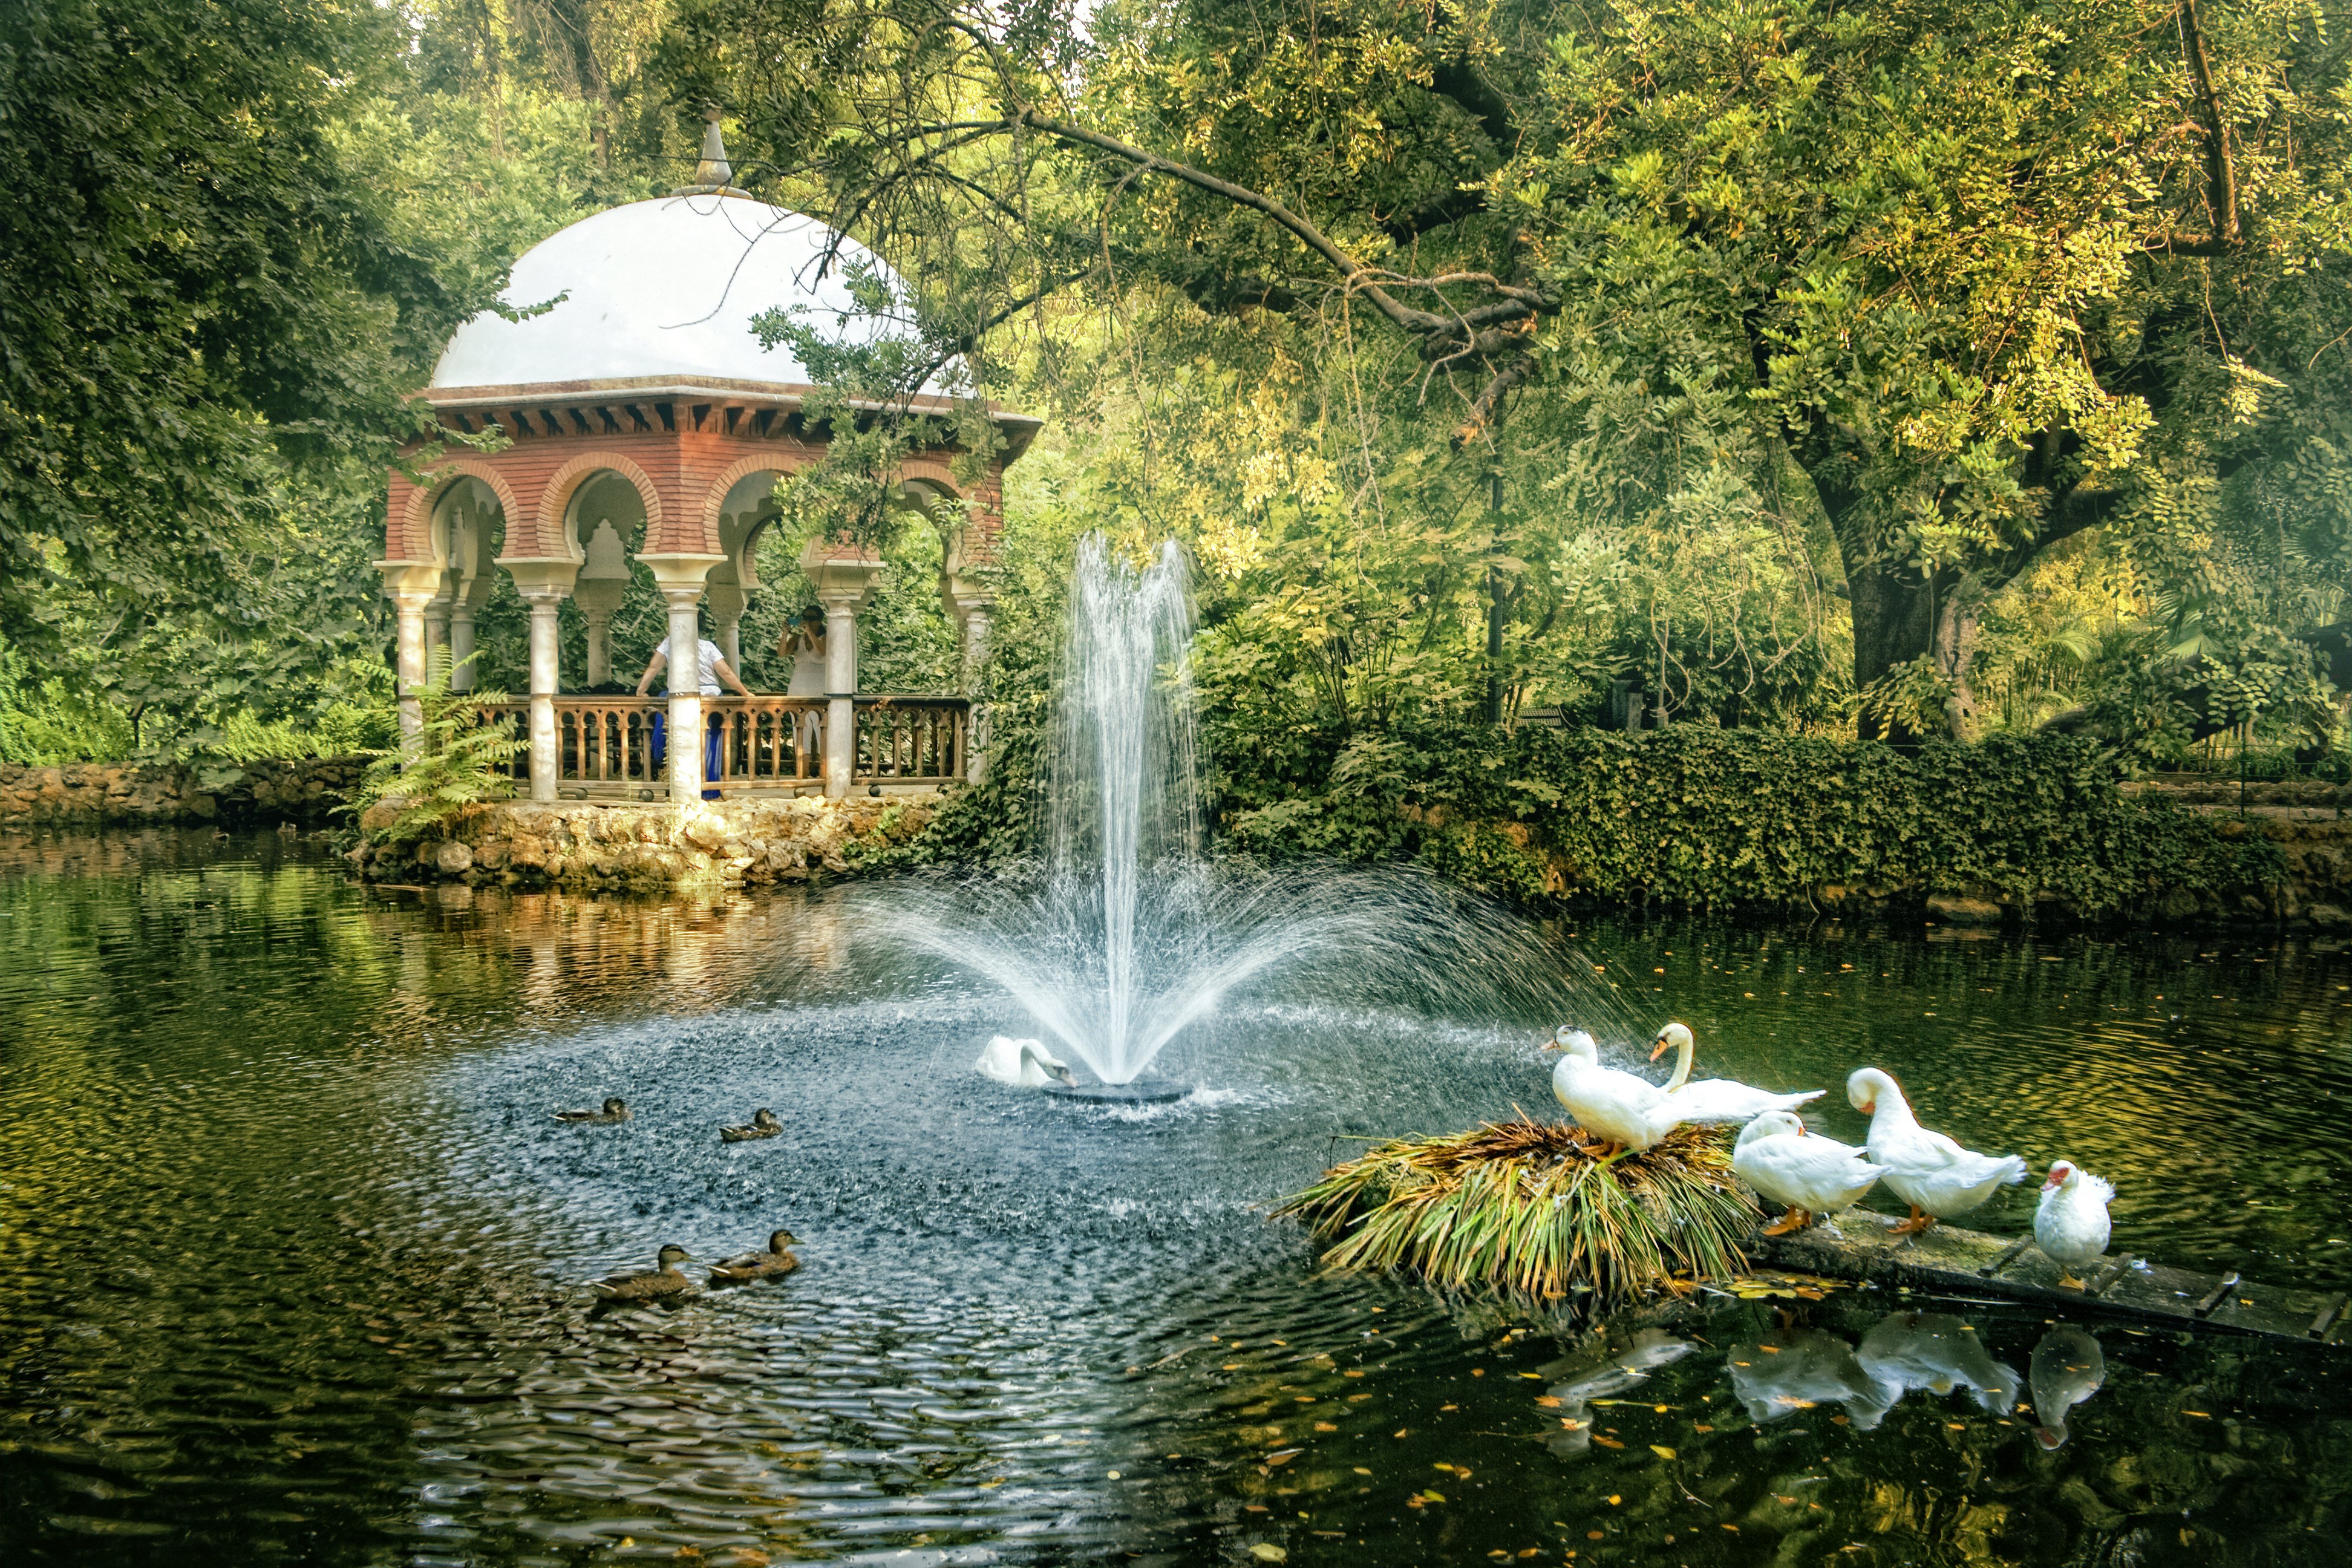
<point x="295" y="1257"/>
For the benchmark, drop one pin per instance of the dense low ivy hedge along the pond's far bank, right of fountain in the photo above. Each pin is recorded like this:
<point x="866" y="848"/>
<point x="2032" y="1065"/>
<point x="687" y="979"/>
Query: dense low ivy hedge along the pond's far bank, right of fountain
<point x="1725" y="819"/>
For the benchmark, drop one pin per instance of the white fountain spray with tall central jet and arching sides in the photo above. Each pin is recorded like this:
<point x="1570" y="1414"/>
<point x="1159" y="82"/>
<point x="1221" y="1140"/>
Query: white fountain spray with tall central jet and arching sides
<point x="1128" y="934"/>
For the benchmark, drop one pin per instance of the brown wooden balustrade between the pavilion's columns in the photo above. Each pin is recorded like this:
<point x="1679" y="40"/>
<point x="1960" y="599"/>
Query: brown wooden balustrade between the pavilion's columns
<point x="766" y="742"/>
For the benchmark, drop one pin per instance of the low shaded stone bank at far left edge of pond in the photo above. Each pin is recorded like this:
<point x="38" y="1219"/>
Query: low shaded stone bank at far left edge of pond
<point x="154" y="793"/>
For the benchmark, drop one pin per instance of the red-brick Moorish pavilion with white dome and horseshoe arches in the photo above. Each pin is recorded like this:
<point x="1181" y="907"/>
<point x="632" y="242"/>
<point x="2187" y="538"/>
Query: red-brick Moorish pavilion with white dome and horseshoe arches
<point x="648" y="424"/>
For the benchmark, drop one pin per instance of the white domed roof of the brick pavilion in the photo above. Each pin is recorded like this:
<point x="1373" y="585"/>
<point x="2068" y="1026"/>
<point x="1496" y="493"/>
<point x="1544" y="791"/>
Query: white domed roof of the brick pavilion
<point x="667" y="288"/>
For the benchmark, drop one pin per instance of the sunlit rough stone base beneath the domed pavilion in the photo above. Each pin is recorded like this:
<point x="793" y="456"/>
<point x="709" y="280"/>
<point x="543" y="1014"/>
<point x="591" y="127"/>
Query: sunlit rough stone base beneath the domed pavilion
<point x="740" y="843"/>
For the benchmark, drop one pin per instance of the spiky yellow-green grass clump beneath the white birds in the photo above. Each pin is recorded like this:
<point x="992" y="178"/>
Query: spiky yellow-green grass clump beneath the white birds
<point x="1530" y="1207"/>
